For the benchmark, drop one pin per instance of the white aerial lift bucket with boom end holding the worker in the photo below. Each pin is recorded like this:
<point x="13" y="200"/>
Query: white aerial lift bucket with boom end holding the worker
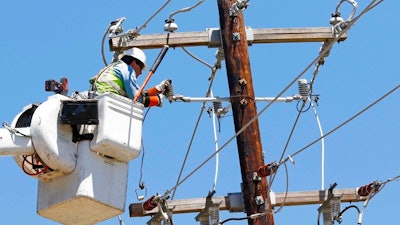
<point x="79" y="150"/>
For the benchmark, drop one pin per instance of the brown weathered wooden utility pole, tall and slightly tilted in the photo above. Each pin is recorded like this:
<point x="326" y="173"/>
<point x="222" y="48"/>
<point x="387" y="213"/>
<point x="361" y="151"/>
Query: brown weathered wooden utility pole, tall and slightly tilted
<point x="255" y="191"/>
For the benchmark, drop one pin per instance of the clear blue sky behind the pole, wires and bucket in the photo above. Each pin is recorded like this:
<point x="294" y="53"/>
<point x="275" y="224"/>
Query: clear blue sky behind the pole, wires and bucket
<point x="52" y="39"/>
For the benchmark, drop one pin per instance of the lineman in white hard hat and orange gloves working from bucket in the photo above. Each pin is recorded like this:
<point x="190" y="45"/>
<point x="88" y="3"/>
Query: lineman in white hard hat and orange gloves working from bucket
<point x="120" y="78"/>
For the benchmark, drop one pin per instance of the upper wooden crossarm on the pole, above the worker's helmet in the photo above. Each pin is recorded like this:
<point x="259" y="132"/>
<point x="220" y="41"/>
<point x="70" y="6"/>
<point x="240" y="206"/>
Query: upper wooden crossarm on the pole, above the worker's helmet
<point x="212" y="38"/>
